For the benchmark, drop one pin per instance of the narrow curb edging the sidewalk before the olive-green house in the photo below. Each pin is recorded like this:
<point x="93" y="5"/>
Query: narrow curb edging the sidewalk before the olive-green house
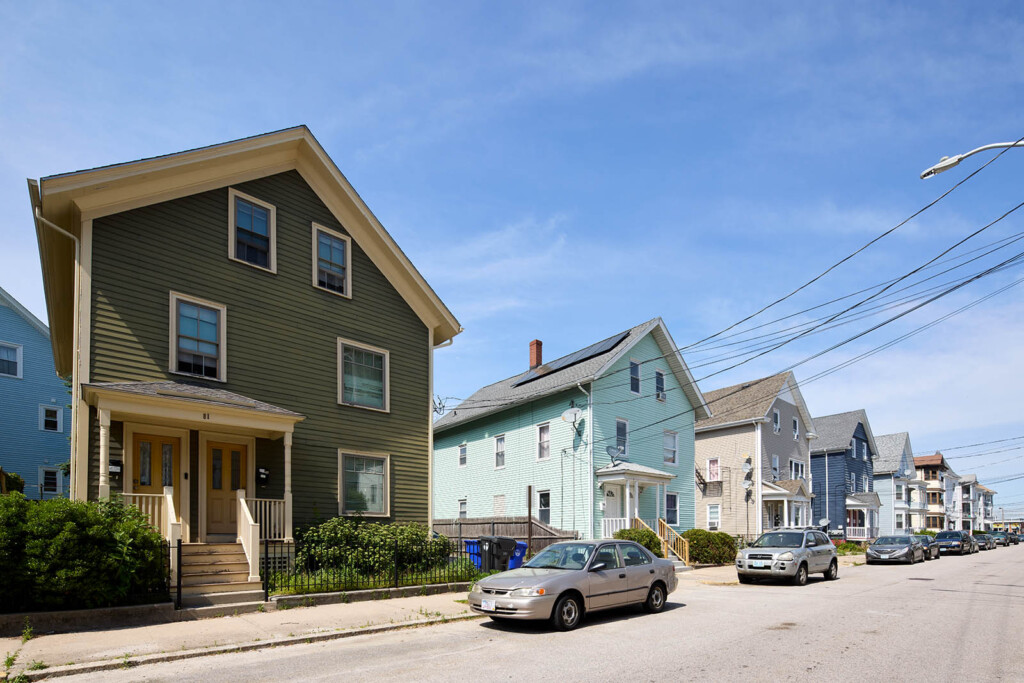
<point x="160" y="658"/>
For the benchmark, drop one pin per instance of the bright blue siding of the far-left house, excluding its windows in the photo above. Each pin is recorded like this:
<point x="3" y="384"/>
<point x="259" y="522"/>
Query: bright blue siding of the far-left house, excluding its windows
<point x="25" y="449"/>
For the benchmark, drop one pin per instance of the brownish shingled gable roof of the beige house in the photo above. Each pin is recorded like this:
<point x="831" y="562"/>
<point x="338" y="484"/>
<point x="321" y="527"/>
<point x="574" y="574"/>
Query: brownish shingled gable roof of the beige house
<point x="750" y="402"/>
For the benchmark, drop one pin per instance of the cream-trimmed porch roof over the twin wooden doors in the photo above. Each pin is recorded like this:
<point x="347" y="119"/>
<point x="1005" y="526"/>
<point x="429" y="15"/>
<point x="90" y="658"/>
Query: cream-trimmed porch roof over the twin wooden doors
<point x="189" y="405"/>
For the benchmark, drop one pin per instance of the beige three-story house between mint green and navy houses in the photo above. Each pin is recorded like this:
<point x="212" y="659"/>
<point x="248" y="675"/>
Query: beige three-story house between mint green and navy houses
<point x="753" y="469"/>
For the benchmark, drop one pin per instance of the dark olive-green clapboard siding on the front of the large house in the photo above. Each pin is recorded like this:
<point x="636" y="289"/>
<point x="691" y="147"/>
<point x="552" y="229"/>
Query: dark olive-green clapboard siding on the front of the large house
<point x="282" y="332"/>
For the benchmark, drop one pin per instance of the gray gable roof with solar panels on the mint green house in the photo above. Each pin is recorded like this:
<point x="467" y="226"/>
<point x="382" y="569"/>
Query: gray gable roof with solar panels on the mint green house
<point x="513" y="392"/>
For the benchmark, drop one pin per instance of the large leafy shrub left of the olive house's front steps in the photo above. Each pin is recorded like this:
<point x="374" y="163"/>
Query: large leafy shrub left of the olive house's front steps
<point x="62" y="554"/>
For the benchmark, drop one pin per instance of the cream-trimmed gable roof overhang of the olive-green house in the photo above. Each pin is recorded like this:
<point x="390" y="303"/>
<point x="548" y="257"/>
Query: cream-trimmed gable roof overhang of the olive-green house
<point x="68" y="200"/>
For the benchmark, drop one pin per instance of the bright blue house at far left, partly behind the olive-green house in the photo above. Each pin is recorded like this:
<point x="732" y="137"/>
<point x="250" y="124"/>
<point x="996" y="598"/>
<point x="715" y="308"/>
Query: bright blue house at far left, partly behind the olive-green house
<point x="34" y="432"/>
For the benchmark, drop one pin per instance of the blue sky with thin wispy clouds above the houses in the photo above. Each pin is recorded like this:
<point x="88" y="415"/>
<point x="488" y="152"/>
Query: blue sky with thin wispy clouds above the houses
<point x="567" y="172"/>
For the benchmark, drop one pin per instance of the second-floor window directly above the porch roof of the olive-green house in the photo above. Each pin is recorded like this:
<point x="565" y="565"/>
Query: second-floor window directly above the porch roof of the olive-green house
<point x="199" y="337"/>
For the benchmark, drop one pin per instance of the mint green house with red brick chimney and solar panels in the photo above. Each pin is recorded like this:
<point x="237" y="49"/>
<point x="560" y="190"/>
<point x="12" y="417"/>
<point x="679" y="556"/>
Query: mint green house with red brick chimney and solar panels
<point x="601" y="437"/>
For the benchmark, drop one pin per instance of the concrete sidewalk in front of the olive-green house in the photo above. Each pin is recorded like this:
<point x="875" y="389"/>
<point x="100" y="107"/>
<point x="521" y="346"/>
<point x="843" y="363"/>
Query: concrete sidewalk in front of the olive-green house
<point x="98" y="651"/>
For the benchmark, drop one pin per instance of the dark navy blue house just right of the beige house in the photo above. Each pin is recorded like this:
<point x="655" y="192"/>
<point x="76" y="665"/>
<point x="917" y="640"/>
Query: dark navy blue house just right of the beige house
<point x="843" y="475"/>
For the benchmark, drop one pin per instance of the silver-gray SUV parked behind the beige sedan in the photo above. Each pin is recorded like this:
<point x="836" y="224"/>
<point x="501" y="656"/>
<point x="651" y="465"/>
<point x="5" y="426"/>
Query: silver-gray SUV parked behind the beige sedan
<point x="788" y="554"/>
